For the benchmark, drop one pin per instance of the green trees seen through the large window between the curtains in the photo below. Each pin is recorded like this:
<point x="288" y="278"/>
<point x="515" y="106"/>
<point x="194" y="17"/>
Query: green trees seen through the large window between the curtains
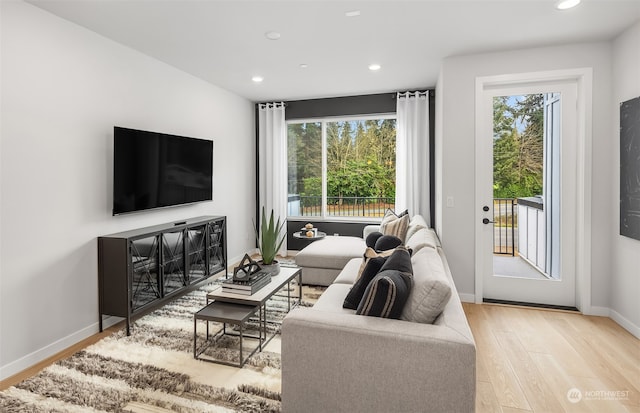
<point x="360" y="159"/>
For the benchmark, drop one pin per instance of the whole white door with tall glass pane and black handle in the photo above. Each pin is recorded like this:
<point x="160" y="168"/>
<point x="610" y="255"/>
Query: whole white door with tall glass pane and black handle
<point x="526" y="168"/>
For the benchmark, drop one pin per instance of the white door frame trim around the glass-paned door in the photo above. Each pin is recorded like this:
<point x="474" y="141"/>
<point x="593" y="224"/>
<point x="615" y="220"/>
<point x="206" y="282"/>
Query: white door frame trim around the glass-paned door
<point x="583" y="78"/>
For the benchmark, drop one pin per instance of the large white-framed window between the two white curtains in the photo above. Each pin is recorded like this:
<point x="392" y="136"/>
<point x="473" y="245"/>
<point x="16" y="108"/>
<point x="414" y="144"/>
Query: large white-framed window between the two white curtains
<point x="341" y="167"/>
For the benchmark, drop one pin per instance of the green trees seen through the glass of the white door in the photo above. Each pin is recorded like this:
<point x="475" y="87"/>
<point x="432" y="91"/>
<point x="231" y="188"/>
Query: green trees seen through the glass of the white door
<point x="518" y="137"/>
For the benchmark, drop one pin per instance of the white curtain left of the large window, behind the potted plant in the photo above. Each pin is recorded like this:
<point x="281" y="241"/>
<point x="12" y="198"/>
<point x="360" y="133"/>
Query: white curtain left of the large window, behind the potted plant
<point x="272" y="138"/>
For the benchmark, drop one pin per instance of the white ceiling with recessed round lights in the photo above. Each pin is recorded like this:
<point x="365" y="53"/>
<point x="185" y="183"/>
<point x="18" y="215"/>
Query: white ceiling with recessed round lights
<point x="224" y="43"/>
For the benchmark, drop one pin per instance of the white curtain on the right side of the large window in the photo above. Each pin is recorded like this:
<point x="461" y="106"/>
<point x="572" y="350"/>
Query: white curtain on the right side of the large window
<point x="412" y="154"/>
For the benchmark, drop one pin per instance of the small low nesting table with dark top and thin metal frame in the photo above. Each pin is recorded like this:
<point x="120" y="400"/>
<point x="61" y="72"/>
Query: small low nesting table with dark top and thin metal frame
<point x="225" y="313"/>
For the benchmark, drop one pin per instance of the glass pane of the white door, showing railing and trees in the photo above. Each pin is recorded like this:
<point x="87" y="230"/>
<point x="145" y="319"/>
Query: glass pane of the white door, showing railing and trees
<point x="519" y="136"/>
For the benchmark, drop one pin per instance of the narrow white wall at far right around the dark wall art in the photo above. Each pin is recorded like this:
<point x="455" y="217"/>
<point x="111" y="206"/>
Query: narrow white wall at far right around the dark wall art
<point x="625" y="252"/>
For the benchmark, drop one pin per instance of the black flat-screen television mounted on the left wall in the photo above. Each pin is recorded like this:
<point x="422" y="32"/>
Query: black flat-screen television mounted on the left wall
<point x="154" y="170"/>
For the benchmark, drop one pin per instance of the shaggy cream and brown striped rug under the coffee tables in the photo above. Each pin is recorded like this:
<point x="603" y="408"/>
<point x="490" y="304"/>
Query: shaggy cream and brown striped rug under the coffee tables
<point x="153" y="369"/>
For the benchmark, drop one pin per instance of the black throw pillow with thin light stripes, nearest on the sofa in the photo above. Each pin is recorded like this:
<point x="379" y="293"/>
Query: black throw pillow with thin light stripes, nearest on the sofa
<point x="386" y="295"/>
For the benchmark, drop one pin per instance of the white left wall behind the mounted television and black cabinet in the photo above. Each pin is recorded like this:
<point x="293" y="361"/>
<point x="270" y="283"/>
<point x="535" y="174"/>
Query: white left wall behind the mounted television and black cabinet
<point x="63" y="90"/>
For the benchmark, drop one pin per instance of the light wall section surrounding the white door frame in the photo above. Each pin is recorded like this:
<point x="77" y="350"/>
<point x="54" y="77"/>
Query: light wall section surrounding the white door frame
<point x="457" y="88"/>
